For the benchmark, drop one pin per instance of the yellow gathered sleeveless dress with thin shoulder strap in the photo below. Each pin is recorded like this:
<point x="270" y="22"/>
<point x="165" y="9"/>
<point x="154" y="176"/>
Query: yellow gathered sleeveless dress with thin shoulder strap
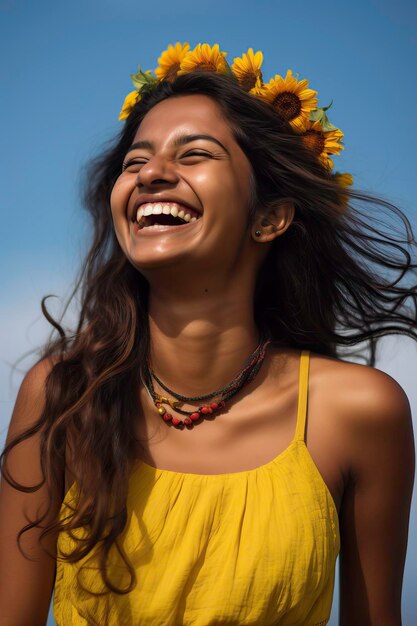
<point x="256" y="547"/>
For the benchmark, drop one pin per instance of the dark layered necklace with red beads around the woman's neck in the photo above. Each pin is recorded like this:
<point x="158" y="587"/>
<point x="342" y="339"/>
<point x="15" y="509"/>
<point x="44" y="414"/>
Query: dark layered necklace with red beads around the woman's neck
<point x="248" y="373"/>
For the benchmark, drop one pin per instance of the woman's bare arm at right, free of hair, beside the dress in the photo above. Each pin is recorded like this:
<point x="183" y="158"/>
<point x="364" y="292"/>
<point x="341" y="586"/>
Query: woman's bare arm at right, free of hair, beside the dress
<point x="375" y="510"/>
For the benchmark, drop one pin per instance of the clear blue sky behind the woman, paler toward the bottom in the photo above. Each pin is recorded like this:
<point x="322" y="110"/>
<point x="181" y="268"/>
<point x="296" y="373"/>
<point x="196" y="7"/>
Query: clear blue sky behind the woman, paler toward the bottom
<point x="66" y="70"/>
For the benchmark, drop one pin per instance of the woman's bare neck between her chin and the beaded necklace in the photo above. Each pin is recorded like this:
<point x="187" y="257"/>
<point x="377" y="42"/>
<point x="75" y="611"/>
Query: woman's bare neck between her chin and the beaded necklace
<point x="199" y="344"/>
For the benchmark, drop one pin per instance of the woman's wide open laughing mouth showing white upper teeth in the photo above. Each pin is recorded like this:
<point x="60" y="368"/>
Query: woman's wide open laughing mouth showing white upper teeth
<point x="155" y="214"/>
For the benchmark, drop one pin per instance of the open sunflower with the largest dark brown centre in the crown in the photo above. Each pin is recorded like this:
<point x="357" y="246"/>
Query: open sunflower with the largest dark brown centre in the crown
<point x="291" y="98"/>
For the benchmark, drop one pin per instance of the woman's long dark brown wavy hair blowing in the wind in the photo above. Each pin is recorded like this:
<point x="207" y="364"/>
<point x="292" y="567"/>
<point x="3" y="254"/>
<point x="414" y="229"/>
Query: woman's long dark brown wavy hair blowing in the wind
<point x="338" y="277"/>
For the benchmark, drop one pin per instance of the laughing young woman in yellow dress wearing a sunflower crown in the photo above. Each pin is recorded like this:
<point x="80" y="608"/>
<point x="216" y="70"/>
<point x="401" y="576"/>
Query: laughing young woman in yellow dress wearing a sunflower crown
<point x="197" y="452"/>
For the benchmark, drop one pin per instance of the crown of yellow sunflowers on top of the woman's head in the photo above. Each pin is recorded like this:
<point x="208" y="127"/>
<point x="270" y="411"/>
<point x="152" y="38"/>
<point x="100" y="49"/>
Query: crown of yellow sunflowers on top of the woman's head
<point x="290" y="97"/>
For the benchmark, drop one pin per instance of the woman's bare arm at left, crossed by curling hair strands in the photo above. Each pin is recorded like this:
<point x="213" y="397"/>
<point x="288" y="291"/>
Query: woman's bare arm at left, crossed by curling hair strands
<point x="25" y="586"/>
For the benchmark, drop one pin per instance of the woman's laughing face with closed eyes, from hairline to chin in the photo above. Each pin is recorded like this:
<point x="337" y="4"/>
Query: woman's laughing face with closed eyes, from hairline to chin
<point x="184" y="156"/>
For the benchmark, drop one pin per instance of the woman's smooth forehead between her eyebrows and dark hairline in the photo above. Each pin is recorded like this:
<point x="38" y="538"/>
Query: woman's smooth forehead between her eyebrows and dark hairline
<point x="194" y="113"/>
